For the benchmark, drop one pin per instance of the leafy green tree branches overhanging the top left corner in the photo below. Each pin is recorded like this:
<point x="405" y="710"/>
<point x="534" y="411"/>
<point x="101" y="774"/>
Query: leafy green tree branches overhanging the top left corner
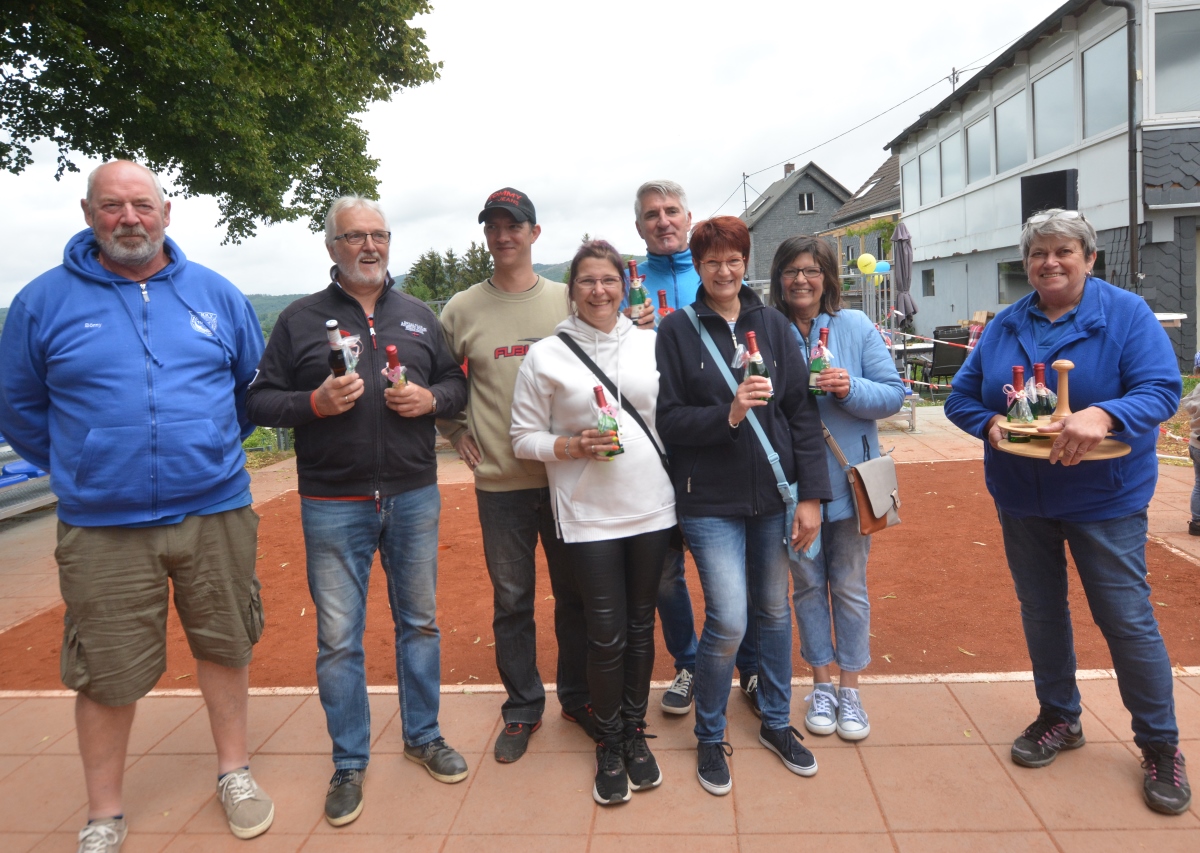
<point x="250" y="101"/>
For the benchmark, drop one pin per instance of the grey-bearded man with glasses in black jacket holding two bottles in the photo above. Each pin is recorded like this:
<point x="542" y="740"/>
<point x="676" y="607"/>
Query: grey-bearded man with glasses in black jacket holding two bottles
<point x="368" y="478"/>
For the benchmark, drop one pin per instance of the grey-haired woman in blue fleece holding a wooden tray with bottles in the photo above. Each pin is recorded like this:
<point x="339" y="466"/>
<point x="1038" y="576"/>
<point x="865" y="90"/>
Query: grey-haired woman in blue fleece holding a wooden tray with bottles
<point x="1126" y="383"/>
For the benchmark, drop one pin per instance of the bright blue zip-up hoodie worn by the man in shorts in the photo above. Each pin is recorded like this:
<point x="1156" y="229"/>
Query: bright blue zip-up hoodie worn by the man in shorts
<point x="133" y="399"/>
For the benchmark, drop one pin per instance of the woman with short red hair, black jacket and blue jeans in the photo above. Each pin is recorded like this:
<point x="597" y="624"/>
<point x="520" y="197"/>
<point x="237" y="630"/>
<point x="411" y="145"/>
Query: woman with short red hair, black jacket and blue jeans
<point x="733" y="514"/>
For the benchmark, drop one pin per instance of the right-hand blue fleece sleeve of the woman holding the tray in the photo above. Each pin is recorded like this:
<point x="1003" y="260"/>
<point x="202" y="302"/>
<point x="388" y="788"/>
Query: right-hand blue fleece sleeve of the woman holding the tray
<point x="1150" y="374"/>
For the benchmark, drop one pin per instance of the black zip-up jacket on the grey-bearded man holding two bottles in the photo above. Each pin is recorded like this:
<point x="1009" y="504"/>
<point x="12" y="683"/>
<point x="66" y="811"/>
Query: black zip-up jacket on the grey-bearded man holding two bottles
<point x="370" y="450"/>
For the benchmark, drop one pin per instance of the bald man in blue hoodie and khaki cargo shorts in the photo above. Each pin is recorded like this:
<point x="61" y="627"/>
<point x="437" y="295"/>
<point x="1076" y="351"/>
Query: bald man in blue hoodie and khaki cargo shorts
<point x="125" y="373"/>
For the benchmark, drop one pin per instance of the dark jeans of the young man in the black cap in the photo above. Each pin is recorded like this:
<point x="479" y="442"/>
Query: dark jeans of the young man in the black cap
<point x="512" y="524"/>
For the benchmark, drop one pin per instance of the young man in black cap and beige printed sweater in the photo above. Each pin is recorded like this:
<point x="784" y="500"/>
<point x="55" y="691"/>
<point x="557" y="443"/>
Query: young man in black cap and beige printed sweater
<point x="493" y="325"/>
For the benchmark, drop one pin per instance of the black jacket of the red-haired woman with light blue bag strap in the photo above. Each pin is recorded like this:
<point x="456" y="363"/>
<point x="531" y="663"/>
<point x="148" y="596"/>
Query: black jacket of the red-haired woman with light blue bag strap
<point x="718" y="471"/>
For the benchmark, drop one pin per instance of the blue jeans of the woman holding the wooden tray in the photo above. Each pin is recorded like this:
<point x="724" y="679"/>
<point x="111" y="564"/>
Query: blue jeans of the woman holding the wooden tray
<point x="1111" y="557"/>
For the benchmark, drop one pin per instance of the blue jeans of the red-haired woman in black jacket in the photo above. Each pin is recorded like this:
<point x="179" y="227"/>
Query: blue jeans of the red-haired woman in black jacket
<point x="742" y="561"/>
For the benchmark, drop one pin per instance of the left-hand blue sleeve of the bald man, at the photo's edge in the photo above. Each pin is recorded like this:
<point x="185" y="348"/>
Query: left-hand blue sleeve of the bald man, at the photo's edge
<point x="25" y="397"/>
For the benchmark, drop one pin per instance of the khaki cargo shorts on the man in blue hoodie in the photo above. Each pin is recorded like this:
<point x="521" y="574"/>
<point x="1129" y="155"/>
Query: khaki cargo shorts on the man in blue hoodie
<point x="115" y="584"/>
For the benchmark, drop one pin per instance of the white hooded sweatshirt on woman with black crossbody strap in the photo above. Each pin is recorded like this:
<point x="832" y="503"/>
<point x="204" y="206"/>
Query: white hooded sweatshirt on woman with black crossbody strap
<point x="595" y="500"/>
